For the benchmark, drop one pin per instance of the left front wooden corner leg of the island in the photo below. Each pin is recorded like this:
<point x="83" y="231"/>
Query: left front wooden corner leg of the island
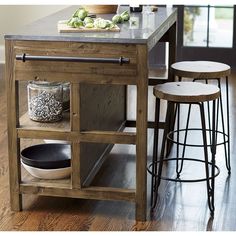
<point x="12" y="124"/>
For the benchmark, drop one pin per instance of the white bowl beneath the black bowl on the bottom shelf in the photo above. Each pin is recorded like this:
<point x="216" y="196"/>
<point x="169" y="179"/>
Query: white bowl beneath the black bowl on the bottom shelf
<point x="59" y="173"/>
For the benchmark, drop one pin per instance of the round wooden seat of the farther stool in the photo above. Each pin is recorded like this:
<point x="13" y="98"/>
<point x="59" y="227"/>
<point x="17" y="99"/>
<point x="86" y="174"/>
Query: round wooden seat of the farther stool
<point x="200" y="69"/>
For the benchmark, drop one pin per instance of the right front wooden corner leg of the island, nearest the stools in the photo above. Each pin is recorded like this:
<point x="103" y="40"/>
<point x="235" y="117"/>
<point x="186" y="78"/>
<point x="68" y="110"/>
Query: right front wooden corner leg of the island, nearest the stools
<point x="141" y="126"/>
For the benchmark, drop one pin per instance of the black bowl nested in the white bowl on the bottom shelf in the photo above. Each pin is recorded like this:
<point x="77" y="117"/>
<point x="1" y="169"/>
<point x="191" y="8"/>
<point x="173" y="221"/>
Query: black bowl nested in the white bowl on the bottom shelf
<point x="47" y="156"/>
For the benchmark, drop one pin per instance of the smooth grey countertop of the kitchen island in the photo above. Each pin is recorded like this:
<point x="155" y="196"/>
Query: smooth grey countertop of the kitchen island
<point x="147" y="28"/>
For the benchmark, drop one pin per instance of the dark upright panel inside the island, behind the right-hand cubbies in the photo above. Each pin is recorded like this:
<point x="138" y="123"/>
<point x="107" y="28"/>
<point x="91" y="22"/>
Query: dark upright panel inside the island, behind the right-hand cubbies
<point x="102" y="107"/>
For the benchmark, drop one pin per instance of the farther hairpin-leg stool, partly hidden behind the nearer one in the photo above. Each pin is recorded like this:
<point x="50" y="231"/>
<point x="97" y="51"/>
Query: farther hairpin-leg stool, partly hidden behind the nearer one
<point x="205" y="71"/>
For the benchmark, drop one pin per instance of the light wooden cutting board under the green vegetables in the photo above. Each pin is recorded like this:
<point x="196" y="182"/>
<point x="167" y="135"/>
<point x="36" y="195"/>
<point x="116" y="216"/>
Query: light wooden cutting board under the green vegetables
<point x="64" y="28"/>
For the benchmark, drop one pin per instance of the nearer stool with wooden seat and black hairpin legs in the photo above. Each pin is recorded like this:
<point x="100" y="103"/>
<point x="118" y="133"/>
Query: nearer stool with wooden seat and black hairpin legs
<point x="177" y="93"/>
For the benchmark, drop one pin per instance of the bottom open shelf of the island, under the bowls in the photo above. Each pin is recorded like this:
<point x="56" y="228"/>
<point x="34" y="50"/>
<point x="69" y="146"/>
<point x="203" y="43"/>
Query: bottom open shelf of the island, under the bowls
<point x="120" y="187"/>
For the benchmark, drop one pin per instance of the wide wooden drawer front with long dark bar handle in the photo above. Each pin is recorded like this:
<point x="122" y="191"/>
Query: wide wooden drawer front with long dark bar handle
<point x="74" y="71"/>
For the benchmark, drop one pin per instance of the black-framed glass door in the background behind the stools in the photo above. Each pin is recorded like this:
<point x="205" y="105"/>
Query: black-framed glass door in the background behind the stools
<point x="207" y="32"/>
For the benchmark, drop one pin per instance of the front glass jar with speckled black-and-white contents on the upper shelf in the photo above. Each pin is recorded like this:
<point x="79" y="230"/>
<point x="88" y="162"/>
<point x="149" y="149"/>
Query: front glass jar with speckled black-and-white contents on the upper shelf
<point x="45" y="101"/>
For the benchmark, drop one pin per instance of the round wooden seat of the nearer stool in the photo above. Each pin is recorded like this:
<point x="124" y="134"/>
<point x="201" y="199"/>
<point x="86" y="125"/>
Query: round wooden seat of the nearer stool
<point x="186" y="92"/>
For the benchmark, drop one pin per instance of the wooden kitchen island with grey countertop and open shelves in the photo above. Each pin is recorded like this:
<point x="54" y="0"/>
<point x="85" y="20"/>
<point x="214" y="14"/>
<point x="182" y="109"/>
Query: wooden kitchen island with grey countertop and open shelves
<point x="99" y="67"/>
